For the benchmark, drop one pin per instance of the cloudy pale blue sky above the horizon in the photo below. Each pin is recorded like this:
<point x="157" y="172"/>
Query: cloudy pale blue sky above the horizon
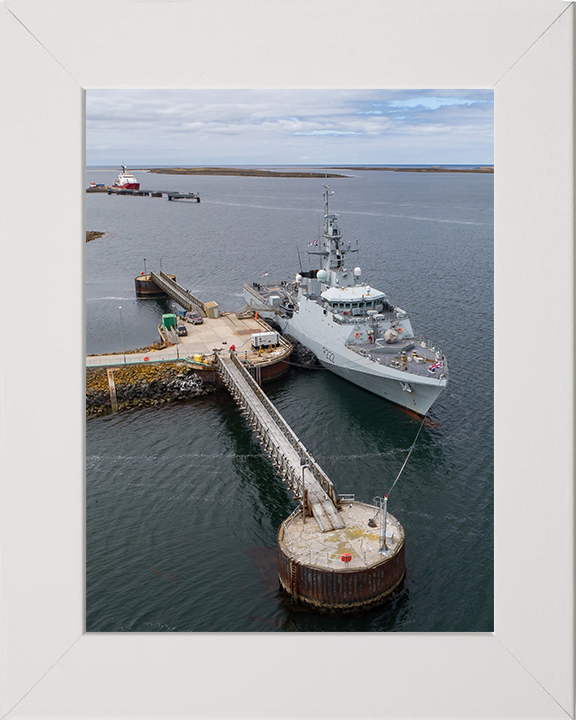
<point x="289" y="127"/>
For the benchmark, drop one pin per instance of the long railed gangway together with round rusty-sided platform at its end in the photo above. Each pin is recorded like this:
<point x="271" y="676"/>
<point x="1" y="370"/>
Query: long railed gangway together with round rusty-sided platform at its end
<point x="333" y="553"/>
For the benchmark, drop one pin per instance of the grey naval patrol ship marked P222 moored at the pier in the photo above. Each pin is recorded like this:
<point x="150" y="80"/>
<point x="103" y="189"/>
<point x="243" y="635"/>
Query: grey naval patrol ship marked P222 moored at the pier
<point x="352" y="328"/>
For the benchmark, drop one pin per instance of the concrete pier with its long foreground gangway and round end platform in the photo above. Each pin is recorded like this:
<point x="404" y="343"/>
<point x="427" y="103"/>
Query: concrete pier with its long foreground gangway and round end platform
<point x="331" y="553"/>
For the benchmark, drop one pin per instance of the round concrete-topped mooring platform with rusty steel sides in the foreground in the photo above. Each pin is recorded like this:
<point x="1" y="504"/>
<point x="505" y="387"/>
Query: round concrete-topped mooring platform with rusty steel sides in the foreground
<point x="311" y="570"/>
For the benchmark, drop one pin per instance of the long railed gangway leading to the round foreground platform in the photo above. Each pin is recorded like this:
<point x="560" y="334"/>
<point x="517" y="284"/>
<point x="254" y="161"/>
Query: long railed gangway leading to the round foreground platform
<point x="305" y="477"/>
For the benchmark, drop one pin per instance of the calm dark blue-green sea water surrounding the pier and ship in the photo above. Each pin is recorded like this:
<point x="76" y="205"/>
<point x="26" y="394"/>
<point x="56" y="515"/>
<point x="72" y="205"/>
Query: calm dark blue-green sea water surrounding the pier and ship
<point x="182" y="505"/>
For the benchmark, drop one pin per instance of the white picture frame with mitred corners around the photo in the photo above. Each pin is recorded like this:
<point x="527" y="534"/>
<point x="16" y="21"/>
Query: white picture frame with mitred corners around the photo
<point x="50" y="52"/>
